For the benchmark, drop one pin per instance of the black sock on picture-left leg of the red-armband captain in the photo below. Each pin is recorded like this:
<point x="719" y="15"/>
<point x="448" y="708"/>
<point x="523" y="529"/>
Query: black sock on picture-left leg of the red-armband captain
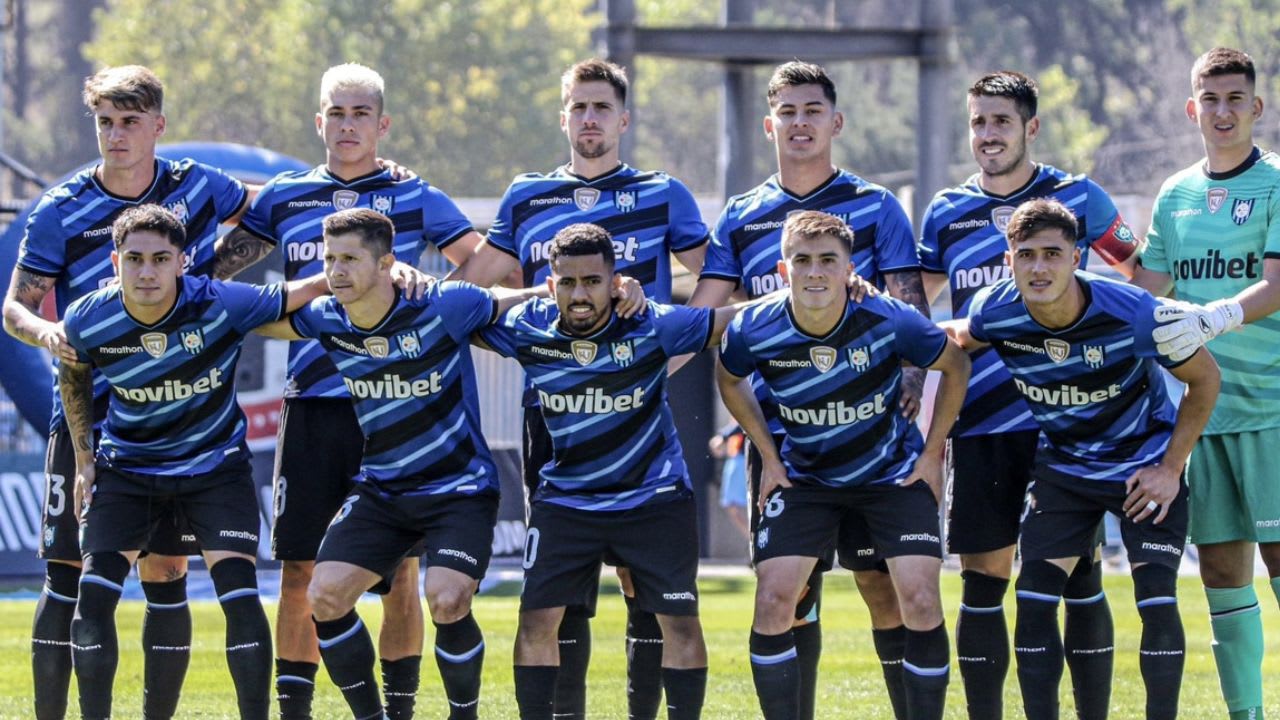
<point x="982" y="644"/>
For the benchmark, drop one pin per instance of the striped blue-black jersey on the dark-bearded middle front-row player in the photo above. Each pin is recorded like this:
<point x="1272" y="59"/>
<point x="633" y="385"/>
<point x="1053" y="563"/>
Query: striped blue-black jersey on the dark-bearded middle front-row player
<point x="605" y="402"/>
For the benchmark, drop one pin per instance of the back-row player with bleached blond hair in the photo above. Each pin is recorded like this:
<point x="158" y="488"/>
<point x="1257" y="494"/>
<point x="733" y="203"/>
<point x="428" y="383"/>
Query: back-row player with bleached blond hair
<point x="319" y="449"/>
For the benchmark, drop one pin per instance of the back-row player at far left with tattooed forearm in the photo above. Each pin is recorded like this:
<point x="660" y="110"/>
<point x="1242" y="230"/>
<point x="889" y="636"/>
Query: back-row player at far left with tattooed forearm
<point x="67" y="250"/>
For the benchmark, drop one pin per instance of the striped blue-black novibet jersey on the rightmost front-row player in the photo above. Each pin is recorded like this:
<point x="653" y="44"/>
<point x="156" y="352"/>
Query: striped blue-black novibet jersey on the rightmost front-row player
<point x="1095" y="388"/>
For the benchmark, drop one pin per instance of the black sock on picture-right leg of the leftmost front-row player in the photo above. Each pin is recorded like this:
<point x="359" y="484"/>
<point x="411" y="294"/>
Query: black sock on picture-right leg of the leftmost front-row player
<point x="249" y="635"/>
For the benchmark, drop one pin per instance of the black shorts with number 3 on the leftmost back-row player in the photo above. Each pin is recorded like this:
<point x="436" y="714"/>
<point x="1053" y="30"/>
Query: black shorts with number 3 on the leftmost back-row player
<point x="60" y="537"/>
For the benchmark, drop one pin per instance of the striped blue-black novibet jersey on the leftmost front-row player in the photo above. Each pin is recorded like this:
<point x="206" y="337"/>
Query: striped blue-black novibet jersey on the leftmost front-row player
<point x="173" y="407"/>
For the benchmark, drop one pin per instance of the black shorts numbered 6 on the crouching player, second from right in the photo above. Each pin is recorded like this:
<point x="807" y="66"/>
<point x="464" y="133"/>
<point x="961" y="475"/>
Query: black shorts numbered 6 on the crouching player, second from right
<point x="807" y="521"/>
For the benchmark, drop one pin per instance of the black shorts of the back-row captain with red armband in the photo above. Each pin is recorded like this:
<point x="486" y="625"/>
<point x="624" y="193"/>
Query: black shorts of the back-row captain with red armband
<point x="989" y="490"/>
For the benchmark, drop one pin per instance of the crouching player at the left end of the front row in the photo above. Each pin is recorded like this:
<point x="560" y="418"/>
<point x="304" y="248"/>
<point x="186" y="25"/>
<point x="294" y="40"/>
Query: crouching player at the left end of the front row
<point x="173" y="440"/>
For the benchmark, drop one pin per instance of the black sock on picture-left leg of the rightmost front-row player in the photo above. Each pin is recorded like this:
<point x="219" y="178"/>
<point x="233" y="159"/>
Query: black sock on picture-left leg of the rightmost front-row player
<point x="1037" y="642"/>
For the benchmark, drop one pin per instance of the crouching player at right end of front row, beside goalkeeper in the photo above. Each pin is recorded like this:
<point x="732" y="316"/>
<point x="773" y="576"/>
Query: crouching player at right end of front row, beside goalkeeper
<point x="1082" y="354"/>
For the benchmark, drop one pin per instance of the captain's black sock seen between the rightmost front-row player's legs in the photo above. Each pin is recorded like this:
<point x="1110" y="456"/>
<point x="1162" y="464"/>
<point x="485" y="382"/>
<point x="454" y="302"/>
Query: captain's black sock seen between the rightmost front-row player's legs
<point x="1089" y="639"/>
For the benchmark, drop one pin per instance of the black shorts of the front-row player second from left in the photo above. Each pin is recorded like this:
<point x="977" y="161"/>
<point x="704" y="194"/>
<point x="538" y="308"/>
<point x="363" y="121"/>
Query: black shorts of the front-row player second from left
<point x="377" y="532"/>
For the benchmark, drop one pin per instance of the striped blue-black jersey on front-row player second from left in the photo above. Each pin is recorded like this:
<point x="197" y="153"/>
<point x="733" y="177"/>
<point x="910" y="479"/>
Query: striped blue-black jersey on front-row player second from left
<point x="414" y="388"/>
